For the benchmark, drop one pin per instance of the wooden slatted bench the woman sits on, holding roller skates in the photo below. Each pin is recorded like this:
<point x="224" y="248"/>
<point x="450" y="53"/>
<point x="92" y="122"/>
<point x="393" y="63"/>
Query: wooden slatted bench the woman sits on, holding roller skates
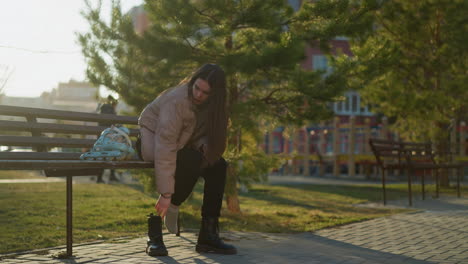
<point x="56" y="140"/>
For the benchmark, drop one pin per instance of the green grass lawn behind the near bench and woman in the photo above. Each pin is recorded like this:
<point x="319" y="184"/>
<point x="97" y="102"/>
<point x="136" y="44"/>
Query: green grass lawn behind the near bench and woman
<point x="32" y="216"/>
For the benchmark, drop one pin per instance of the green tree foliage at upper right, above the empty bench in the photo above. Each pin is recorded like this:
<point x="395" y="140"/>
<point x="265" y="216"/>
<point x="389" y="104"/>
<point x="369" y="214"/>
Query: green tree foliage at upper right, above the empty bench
<point x="410" y="60"/>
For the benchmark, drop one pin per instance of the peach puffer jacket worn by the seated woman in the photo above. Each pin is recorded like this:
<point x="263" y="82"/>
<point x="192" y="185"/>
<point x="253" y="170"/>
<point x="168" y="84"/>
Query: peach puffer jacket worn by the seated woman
<point x="172" y="119"/>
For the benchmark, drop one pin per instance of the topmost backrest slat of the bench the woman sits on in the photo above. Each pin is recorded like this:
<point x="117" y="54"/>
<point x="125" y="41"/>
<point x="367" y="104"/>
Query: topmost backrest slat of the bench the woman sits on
<point x="66" y="115"/>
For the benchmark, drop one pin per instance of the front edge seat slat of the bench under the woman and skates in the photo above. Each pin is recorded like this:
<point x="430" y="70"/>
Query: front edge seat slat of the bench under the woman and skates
<point x="75" y="164"/>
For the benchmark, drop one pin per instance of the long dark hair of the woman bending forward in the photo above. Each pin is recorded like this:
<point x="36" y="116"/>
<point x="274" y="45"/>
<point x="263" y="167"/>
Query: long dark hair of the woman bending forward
<point x="216" y="125"/>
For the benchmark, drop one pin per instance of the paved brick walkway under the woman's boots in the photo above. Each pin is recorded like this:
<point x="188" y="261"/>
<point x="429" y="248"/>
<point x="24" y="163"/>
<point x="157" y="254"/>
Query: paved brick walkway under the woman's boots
<point x="437" y="233"/>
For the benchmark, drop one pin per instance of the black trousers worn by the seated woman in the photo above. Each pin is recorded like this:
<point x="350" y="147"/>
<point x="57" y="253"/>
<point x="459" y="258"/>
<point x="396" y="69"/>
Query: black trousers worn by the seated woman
<point x="188" y="170"/>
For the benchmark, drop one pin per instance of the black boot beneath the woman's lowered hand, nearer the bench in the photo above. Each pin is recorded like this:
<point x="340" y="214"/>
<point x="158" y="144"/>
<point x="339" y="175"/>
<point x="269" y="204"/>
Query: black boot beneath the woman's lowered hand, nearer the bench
<point x="155" y="242"/>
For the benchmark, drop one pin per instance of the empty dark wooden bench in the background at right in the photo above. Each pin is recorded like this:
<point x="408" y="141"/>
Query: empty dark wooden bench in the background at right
<point x="410" y="158"/>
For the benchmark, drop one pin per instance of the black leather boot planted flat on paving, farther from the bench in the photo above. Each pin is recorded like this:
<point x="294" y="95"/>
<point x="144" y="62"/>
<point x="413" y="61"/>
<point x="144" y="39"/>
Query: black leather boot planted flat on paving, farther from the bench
<point x="209" y="240"/>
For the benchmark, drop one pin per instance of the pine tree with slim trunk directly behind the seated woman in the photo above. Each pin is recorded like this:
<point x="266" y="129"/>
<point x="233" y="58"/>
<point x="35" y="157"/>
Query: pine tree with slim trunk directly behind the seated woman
<point x="255" y="42"/>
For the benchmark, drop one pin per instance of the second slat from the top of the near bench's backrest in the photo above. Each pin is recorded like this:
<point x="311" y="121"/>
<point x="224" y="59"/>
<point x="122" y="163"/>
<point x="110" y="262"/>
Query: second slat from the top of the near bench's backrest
<point x="57" y="128"/>
